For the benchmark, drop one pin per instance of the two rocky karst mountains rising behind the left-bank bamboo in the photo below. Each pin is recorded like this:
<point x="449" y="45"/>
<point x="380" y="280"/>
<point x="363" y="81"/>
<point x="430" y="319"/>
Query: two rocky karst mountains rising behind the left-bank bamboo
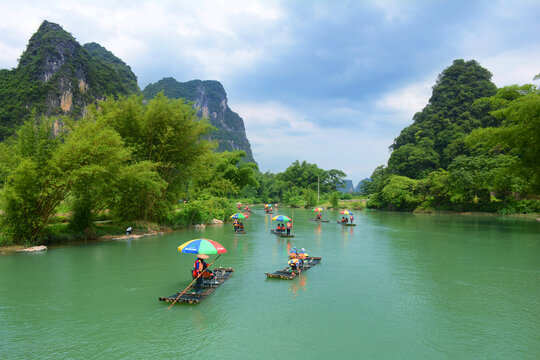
<point x="58" y="76"/>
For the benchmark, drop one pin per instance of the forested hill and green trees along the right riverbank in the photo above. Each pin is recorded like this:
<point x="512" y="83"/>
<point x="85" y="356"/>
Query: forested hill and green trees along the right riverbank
<point x="472" y="148"/>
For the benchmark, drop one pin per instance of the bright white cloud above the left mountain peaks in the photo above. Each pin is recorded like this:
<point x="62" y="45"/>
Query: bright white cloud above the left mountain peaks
<point x="217" y="38"/>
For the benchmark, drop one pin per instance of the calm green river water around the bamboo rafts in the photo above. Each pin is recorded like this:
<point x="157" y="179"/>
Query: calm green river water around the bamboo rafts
<point x="396" y="286"/>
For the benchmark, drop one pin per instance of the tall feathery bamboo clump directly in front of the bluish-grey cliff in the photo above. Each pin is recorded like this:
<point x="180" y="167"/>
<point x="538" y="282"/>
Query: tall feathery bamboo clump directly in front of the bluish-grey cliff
<point x="164" y="132"/>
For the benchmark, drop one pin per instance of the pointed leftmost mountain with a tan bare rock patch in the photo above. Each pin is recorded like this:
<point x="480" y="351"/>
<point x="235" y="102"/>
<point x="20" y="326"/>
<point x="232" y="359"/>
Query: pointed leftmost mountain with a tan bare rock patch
<point x="58" y="76"/>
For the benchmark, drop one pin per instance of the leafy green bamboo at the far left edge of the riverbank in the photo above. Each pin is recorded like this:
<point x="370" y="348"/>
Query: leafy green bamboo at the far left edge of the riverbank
<point x="32" y="189"/>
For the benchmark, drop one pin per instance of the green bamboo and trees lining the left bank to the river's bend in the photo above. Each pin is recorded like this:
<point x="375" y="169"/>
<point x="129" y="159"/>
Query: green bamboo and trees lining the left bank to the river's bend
<point x="131" y="162"/>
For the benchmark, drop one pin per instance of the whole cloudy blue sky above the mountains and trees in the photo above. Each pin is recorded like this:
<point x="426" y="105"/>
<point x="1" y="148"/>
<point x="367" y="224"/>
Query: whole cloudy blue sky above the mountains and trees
<point x="329" y="82"/>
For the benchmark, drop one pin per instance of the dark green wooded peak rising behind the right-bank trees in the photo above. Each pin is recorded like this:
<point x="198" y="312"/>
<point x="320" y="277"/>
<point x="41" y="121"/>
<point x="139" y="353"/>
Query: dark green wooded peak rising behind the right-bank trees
<point x="436" y="135"/>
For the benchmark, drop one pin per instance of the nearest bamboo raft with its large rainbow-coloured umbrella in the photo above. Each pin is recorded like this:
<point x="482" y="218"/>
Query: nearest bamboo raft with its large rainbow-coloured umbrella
<point x="193" y="294"/>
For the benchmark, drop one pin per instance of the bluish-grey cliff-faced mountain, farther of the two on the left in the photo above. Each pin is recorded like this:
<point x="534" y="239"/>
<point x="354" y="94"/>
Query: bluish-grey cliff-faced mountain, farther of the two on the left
<point x="210" y="99"/>
